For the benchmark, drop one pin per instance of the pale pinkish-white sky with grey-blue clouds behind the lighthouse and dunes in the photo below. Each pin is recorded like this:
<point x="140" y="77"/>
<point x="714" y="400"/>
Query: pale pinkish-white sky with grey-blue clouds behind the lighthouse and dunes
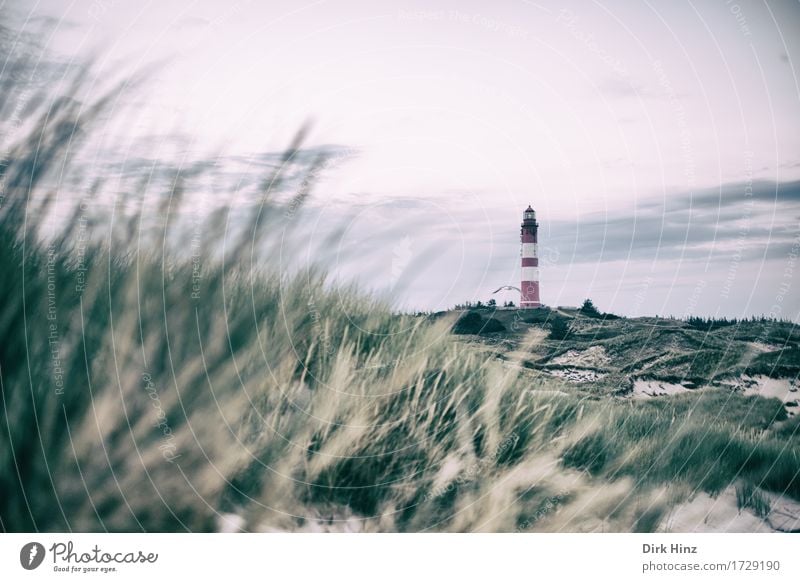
<point x="659" y="142"/>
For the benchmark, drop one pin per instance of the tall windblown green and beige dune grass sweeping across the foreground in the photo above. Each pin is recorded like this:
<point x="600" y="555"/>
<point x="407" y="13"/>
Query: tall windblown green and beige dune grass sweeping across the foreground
<point x="146" y="390"/>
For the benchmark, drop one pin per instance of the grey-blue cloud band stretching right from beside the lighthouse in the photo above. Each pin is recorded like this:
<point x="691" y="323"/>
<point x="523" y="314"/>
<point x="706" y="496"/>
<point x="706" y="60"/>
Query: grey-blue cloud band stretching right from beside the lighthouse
<point x="710" y="225"/>
